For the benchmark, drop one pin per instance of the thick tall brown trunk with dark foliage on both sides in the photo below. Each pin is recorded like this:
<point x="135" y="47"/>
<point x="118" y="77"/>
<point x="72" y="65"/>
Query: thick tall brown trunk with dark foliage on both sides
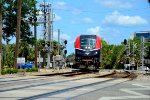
<point x="19" y="4"/>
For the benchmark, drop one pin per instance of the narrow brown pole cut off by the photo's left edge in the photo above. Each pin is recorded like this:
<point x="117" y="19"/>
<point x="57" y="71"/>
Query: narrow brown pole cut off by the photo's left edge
<point x="1" y="35"/>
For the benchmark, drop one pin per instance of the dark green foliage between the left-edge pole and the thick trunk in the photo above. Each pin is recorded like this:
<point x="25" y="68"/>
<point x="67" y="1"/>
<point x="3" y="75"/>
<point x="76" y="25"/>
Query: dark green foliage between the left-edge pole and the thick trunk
<point x="9" y="20"/>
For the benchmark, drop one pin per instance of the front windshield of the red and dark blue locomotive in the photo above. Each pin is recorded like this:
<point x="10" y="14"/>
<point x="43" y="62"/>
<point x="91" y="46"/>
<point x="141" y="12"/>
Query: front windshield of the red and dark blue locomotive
<point x="87" y="43"/>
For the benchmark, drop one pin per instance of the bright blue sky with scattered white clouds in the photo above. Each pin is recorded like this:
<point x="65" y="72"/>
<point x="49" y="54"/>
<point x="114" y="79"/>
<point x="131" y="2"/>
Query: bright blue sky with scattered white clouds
<point x="112" y="20"/>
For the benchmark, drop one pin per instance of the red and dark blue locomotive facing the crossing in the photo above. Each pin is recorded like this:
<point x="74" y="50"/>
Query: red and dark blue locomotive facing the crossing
<point x="88" y="52"/>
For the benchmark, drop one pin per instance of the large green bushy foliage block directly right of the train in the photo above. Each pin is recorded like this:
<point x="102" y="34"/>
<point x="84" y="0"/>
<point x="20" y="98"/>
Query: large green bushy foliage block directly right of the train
<point x="112" y="55"/>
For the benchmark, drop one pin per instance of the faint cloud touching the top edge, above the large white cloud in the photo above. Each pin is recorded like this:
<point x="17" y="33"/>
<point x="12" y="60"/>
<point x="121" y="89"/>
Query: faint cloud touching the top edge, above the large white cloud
<point x="115" y="3"/>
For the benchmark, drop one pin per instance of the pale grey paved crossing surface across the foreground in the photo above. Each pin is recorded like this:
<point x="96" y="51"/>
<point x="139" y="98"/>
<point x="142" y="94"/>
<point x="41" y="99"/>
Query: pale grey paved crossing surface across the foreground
<point x="65" y="88"/>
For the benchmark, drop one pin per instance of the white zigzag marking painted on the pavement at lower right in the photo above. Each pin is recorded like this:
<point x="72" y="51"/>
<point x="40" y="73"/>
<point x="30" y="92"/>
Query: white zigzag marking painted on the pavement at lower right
<point x="136" y="95"/>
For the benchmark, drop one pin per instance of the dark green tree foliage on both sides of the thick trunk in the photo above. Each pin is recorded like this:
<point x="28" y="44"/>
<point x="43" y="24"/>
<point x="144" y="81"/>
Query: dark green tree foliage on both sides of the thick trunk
<point x="9" y="19"/>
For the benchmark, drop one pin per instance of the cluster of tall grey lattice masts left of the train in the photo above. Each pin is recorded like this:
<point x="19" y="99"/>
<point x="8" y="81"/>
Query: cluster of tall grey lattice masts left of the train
<point x="47" y="32"/>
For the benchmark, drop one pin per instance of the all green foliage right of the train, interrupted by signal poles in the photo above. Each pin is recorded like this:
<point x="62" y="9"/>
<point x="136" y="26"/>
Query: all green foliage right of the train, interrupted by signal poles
<point x="113" y="55"/>
